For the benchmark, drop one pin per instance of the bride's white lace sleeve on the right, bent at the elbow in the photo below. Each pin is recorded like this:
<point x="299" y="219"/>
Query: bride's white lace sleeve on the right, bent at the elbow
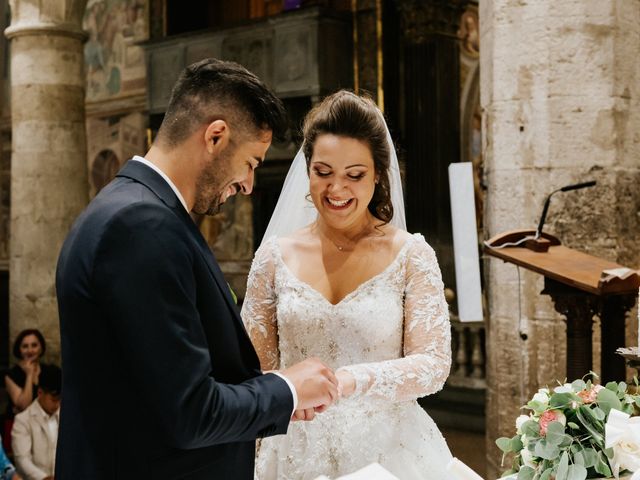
<point x="426" y="341"/>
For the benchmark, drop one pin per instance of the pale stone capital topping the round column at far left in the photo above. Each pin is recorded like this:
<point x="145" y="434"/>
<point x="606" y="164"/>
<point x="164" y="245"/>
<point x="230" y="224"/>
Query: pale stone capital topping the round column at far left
<point x="47" y="17"/>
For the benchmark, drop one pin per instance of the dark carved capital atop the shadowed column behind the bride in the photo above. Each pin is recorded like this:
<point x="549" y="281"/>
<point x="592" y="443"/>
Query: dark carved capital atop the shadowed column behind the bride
<point x="422" y="19"/>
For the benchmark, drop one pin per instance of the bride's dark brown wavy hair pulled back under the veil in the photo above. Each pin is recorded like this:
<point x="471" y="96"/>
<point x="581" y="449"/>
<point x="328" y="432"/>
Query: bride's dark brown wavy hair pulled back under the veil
<point x="349" y="115"/>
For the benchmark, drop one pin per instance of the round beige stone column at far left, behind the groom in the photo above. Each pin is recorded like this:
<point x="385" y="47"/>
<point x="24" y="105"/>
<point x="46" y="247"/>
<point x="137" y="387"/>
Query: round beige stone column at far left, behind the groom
<point x="48" y="166"/>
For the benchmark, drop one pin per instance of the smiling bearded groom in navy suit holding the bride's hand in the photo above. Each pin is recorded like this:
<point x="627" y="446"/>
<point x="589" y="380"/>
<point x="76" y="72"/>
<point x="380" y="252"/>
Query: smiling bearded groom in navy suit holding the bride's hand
<point x="160" y="378"/>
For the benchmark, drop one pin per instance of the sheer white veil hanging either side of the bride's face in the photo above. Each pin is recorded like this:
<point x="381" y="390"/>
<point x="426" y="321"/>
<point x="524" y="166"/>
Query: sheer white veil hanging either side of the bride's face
<point x="294" y="211"/>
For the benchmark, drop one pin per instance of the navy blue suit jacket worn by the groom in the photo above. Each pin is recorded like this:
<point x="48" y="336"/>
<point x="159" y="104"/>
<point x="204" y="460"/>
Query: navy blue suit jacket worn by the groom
<point x="160" y="379"/>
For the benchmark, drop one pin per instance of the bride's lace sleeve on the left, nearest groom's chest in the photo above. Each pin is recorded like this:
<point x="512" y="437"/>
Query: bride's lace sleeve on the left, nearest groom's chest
<point x="259" y="307"/>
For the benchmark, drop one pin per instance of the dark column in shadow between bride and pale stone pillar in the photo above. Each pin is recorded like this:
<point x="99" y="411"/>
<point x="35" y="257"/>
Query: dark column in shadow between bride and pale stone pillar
<point x="432" y="118"/>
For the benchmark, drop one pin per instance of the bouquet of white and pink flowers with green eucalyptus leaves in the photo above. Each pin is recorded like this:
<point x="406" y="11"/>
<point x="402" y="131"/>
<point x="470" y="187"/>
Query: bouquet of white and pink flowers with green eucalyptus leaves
<point x="577" y="431"/>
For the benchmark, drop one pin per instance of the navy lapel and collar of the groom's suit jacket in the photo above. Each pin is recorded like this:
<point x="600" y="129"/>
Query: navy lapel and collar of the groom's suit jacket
<point x="143" y="174"/>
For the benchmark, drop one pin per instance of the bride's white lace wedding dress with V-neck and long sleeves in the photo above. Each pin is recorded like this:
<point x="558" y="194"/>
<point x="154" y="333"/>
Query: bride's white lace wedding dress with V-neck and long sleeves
<point x="392" y="333"/>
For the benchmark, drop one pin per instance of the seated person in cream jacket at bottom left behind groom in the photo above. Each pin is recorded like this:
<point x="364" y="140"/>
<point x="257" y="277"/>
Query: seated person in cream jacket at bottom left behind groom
<point x="35" y="431"/>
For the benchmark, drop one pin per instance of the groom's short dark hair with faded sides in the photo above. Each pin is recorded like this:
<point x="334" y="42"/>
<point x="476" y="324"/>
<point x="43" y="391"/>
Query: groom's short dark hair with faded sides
<point x="214" y="89"/>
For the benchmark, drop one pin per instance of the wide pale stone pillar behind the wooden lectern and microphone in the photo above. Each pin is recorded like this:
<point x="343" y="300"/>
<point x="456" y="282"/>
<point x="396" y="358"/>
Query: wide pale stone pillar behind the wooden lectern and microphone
<point x="560" y="91"/>
